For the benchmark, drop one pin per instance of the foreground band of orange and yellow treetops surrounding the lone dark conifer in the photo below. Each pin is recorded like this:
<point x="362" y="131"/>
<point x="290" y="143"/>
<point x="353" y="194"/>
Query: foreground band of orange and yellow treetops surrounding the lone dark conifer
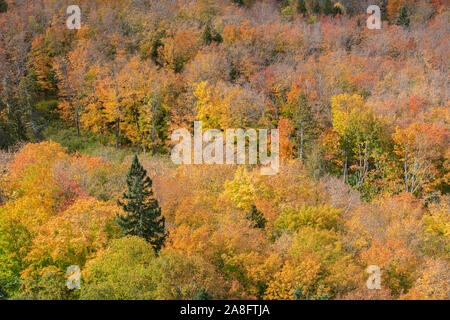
<point x="316" y="239"/>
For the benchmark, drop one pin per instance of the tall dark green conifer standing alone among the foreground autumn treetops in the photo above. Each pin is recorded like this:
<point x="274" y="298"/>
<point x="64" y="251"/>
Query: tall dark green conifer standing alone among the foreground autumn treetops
<point x="143" y="218"/>
